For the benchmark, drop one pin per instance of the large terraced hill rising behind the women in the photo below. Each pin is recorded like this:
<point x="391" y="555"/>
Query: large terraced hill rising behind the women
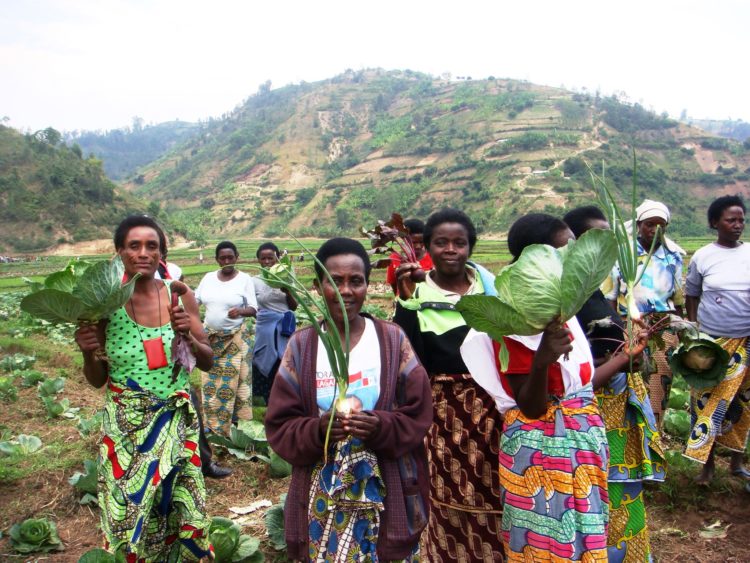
<point x="327" y="157"/>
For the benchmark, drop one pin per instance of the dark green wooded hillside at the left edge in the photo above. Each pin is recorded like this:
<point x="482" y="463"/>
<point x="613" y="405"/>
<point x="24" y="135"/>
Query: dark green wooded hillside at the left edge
<point x="50" y="194"/>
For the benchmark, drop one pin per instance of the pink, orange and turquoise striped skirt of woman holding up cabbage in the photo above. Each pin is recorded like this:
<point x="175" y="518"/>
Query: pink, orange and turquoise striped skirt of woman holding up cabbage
<point x="553" y="474"/>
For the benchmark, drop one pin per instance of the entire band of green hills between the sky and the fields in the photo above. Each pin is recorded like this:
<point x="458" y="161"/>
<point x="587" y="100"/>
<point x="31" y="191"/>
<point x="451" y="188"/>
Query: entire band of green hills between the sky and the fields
<point x="321" y="159"/>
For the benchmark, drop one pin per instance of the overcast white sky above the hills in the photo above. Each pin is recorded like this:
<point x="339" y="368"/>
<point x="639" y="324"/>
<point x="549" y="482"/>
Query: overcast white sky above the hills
<point x="95" y="64"/>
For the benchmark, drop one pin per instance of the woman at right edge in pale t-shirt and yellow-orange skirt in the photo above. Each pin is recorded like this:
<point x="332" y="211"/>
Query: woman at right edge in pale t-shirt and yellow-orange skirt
<point x="718" y="297"/>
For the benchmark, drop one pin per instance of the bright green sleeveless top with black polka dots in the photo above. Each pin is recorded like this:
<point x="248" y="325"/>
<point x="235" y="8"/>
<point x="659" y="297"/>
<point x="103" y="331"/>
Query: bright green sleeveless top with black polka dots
<point x="127" y="358"/>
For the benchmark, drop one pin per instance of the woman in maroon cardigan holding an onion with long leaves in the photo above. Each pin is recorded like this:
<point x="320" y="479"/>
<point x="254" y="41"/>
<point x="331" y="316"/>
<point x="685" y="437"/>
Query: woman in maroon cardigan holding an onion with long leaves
<point x="372" y="496"/>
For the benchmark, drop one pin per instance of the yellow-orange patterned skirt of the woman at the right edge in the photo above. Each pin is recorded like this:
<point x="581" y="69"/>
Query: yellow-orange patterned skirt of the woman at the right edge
<point x="721" y="414"/>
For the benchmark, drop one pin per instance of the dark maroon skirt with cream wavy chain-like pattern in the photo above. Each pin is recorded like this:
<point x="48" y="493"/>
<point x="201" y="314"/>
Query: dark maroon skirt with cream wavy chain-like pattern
<point x="462" y="452"/>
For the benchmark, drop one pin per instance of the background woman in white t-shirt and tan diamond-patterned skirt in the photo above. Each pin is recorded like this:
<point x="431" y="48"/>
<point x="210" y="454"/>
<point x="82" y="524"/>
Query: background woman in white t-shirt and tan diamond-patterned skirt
<point x="229" y="297"/>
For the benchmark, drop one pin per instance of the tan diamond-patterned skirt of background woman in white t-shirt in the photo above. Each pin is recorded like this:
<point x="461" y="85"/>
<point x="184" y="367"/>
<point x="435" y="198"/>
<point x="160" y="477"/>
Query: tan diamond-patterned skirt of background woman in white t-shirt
<point x="227" y="387"/>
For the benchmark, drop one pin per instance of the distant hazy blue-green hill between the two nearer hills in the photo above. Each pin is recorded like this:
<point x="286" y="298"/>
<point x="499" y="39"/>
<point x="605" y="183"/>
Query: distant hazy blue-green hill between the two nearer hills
<point x="125" y="150"/>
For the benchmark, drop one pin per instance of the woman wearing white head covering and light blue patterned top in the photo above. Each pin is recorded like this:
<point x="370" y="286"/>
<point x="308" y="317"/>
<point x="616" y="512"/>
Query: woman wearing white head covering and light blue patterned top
<point x="659" y="290"/>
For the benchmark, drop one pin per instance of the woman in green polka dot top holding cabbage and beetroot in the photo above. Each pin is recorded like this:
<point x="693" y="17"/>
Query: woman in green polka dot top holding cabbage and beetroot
<point x="151" y="490"/>
